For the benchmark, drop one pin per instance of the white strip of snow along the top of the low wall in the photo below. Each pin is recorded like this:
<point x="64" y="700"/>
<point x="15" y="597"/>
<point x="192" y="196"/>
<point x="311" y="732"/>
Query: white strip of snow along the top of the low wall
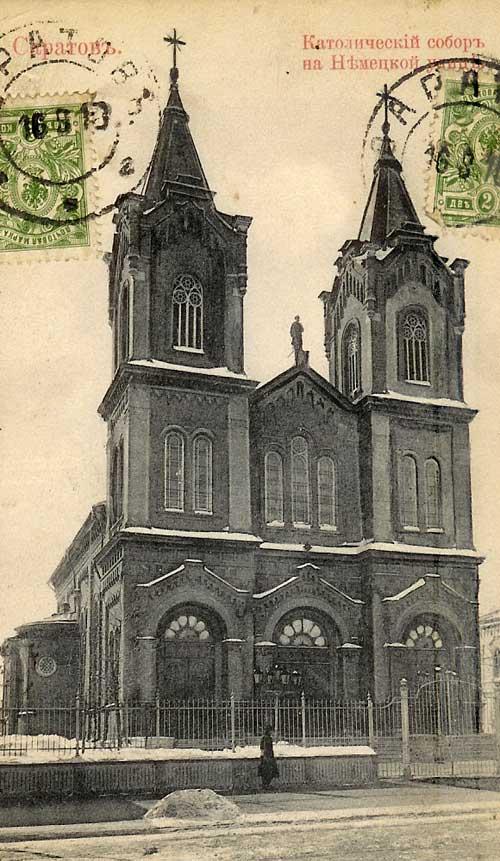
<point x="28" y="749"/>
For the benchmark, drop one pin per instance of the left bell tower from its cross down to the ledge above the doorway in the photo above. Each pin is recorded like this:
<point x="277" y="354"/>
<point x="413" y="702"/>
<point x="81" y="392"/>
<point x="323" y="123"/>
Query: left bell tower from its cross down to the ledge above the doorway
<point x="178" y="399"/>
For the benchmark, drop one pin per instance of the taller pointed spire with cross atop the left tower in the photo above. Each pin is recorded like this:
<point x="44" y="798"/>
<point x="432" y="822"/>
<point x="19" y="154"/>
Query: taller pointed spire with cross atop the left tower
<point x="175" y="159"/>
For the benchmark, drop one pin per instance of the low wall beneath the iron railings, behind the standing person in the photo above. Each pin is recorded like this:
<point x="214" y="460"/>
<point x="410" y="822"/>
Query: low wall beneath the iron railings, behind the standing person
<point x="158" y="777"/>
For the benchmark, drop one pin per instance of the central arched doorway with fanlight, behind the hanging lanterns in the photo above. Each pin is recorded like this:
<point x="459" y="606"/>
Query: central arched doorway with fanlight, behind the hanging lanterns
<point x="308" y="644"/>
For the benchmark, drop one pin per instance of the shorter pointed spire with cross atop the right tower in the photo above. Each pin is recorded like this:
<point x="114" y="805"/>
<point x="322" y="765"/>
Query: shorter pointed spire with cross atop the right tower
<point x="389" y="205"/>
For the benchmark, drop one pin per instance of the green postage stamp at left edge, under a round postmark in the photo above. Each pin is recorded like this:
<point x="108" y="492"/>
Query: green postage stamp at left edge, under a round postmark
<point x="43" y="185"/>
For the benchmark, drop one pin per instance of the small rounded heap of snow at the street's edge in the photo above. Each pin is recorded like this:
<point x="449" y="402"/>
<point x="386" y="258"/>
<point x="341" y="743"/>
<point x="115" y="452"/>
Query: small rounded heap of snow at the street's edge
<point x="194" y="804"/>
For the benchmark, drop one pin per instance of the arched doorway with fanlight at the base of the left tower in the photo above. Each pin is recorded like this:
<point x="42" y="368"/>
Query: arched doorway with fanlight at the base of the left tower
<point x="189" y="656"/>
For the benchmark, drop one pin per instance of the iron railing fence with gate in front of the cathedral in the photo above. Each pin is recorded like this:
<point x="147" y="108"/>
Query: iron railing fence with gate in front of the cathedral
<point x="435" y="709"/>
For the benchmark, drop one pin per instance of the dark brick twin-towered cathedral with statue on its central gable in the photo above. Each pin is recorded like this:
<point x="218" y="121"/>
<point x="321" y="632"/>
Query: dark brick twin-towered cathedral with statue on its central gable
<point x="305" y="533"/>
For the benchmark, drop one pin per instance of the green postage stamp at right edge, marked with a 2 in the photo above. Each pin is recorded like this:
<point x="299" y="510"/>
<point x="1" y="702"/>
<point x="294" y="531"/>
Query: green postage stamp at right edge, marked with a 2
<point x="467" y="156"/>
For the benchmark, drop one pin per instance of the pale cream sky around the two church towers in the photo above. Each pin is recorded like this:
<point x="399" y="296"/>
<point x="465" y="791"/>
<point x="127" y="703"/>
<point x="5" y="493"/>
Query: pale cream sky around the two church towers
<point x="277" y="142"/>
